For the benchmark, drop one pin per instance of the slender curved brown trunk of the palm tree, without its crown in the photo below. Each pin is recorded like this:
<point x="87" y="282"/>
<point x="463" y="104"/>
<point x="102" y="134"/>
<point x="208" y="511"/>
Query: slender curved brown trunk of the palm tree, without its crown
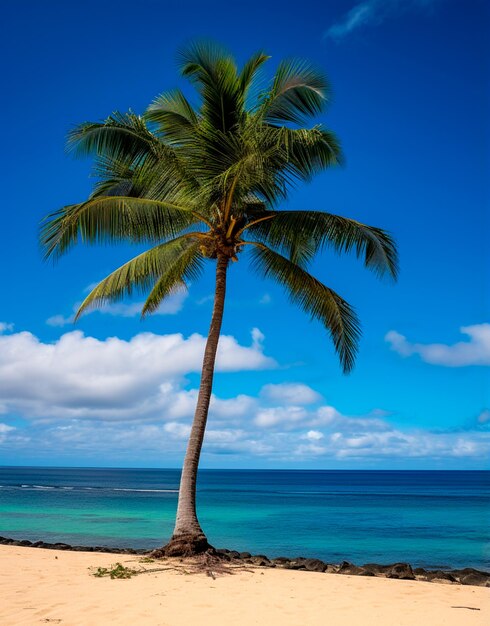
<point x="188" y="536"/>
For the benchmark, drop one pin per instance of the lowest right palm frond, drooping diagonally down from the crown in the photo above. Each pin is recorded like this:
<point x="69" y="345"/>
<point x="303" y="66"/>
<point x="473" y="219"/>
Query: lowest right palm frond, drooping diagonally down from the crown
<point x="321" y="302"/>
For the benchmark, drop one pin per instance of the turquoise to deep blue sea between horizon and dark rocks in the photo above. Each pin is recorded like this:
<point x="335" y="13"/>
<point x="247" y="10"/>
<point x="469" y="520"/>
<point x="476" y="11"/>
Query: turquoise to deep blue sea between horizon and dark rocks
<point x="428" y="518"/>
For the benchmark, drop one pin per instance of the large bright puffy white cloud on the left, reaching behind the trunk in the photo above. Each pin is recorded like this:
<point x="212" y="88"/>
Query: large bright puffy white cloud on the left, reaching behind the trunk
<point x="83" y="377"/>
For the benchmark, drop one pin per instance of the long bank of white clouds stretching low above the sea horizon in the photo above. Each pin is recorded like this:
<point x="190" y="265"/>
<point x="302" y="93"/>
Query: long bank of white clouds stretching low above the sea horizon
<point x="86" y="398"/>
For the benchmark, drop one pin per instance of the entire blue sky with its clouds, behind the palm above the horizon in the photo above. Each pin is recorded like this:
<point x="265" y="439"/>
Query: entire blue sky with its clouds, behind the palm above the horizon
<point x="410" y="81"/>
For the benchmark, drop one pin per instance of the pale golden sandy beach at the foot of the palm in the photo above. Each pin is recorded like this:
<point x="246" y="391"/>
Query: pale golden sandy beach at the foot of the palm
<point x="57" y="587"/>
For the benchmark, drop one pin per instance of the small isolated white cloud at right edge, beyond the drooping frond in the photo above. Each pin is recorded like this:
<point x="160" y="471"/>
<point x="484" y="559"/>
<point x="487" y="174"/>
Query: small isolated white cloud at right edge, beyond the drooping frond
<point x="476" y="351"/>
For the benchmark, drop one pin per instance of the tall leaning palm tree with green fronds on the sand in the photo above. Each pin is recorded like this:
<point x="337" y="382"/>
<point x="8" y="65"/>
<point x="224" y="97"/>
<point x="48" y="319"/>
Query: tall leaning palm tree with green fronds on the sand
<point x="202" y="183"/>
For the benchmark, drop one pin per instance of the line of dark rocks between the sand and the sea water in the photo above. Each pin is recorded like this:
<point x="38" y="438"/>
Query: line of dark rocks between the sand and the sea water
<point x="402" y="571"/>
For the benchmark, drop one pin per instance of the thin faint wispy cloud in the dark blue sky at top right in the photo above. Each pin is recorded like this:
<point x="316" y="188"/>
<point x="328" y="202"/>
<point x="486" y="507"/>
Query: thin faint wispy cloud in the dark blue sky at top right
<point x="373" y="13"/>
